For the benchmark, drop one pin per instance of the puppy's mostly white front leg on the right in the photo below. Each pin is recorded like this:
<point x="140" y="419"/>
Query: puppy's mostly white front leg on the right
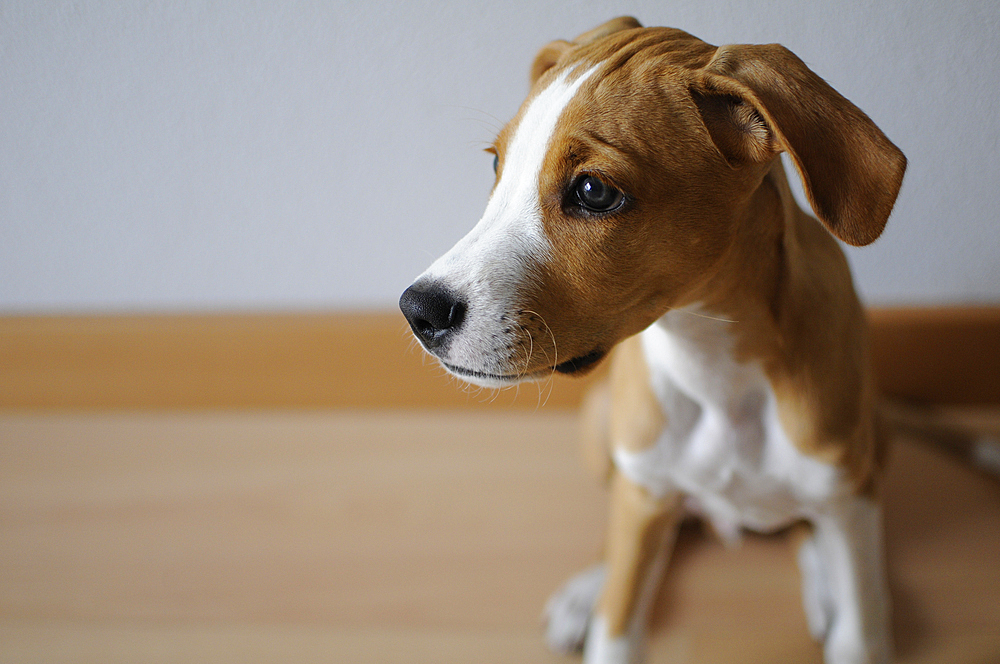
<point x="843" y="566"/>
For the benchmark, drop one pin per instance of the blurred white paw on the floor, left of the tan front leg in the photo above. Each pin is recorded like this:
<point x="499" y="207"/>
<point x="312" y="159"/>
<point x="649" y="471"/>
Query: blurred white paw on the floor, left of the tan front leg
<point x="569" y="610"/>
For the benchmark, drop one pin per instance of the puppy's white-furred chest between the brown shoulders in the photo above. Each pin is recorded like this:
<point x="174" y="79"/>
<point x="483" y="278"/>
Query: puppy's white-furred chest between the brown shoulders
<point x="723" y="445"/>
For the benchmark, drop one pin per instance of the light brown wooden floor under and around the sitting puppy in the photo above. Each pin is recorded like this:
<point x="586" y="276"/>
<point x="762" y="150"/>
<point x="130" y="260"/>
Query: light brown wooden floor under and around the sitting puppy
<point x="387" y="537"/>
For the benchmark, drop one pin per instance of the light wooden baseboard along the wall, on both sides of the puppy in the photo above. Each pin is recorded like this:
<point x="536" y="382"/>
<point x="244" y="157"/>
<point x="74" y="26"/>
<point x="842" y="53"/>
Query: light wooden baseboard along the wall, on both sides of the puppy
<point x="943" y="355"/>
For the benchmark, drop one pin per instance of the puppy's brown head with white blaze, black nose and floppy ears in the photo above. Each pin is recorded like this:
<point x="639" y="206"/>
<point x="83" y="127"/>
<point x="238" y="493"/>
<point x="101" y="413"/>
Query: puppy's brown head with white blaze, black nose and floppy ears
<point x="619" y="185"/>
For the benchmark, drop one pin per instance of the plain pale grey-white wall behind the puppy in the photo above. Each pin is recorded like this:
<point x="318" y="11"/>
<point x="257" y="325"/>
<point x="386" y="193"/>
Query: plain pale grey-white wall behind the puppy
<point x="166" y="155"/>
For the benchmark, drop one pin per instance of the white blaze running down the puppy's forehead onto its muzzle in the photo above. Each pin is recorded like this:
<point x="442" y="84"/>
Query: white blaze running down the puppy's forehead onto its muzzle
<point x="487" y="267"/>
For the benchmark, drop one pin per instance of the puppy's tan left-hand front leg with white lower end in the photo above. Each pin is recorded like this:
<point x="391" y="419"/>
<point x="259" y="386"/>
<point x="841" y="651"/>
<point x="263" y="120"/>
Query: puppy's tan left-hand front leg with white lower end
<point x="640" y="536"/>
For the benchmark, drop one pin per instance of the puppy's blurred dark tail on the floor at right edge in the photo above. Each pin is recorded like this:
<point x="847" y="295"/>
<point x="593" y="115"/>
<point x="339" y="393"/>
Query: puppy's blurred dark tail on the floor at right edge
<point x="977" y="445"/>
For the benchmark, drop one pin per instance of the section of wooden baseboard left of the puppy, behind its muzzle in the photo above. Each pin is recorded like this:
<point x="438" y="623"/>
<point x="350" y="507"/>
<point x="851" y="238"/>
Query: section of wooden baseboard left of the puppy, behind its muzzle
<point x="338" y="360"/>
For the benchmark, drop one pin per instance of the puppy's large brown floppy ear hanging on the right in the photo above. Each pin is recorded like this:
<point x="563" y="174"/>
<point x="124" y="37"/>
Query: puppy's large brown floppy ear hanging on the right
<point x="759" y="100"/>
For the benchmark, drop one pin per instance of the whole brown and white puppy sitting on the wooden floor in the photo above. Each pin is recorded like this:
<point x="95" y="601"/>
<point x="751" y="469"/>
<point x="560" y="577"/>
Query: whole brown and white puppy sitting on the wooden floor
<point x="640" y="203"/>
